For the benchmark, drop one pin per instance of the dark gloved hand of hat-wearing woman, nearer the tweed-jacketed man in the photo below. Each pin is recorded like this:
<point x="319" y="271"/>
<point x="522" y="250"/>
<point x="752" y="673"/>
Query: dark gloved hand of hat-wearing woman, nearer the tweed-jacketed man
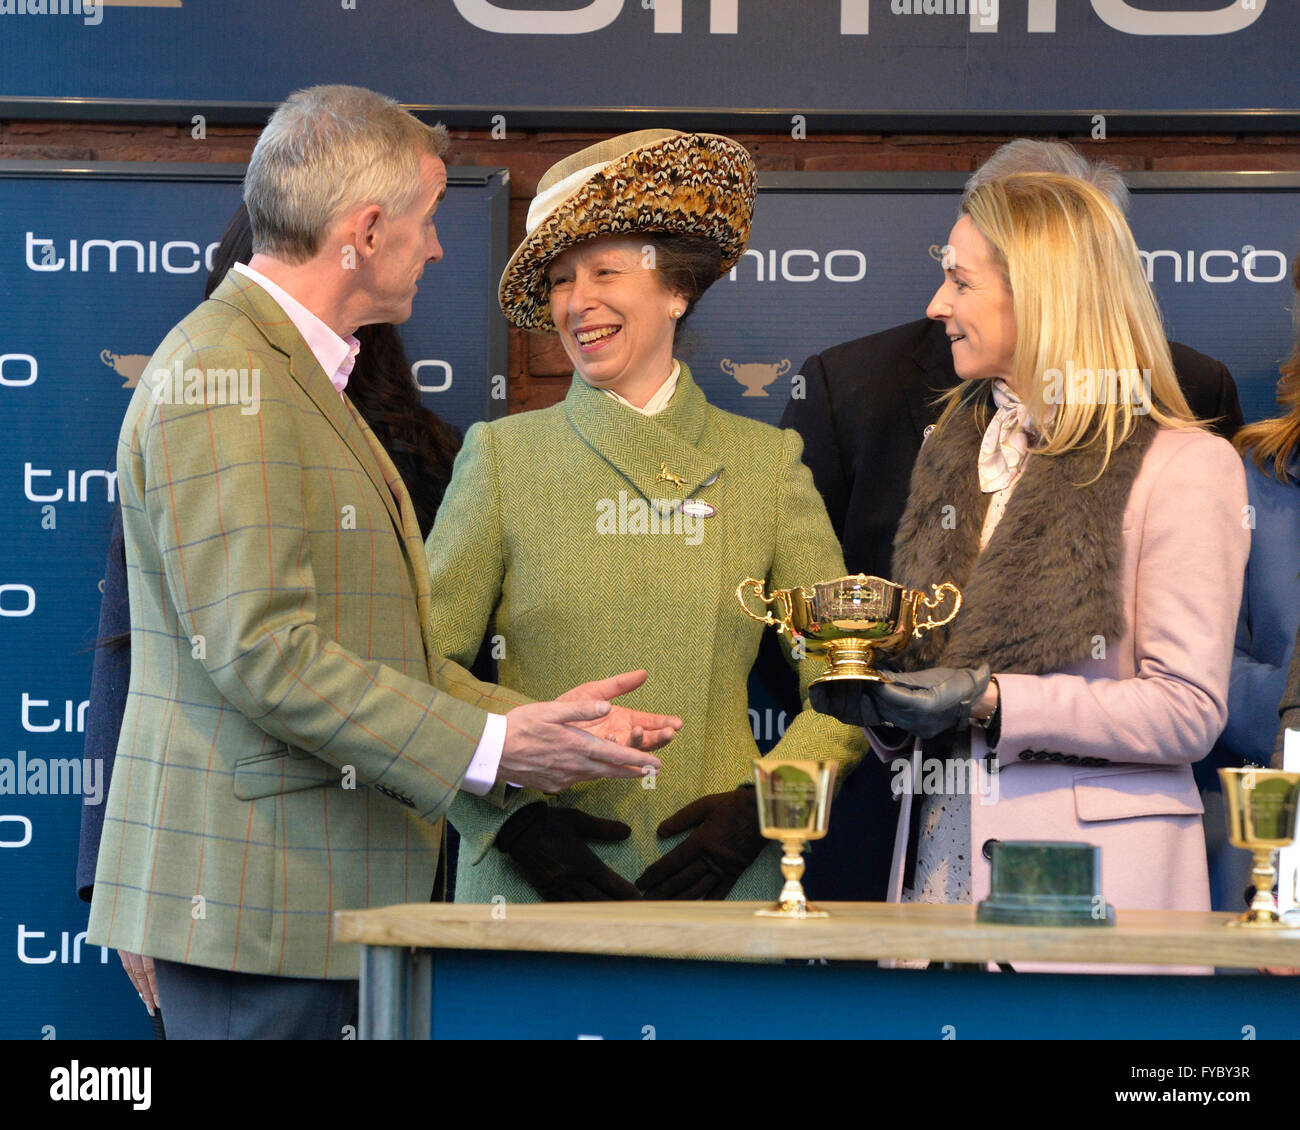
<point x="548" y="846"/>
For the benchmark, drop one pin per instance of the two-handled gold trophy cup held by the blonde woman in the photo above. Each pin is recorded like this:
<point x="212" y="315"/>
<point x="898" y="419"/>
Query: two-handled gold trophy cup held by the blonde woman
<point x="850" y="620"/>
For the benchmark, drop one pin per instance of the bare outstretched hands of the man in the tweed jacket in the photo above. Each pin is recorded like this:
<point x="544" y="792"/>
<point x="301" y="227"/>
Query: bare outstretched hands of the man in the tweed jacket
<point x="583" y="737"/>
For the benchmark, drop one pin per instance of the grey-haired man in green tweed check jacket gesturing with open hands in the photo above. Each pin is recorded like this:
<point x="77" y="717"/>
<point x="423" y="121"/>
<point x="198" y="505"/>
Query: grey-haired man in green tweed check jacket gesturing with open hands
<point x="292" y="741"/>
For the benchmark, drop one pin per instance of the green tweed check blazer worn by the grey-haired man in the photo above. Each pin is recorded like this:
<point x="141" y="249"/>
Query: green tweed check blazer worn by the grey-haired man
<point x="291" y="738"/>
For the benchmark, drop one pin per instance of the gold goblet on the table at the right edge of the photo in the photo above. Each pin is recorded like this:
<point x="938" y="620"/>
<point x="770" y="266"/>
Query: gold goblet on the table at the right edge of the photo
<point x="1262" y="807"/>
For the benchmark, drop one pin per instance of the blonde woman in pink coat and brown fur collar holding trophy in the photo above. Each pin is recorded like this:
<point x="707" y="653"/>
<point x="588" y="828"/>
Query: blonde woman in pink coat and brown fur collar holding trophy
<point x="1097" y="532"/>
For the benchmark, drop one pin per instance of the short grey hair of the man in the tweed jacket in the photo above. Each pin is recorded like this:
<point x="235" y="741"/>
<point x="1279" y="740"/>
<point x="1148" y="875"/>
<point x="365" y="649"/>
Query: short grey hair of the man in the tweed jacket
<point x="326" y="151"/>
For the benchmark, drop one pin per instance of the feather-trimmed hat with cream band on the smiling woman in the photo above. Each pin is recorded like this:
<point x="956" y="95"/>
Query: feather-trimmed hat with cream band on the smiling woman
<point x="645" y="181"/>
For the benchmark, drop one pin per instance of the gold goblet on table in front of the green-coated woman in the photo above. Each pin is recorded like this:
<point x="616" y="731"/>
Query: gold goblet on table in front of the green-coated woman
<point x="794" y="807"/>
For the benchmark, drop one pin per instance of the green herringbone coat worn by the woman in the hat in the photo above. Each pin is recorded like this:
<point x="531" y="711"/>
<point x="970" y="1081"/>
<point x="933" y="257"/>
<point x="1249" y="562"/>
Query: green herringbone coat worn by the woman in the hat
<point x="535" y="544"/>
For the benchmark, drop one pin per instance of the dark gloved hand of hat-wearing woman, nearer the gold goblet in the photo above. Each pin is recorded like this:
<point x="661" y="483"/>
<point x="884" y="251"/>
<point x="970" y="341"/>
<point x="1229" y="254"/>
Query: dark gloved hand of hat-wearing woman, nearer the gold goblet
<point x="712" y="859"/>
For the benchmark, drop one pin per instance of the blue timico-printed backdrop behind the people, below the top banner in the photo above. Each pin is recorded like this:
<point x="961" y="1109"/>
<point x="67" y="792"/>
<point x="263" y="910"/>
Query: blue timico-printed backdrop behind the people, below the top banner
<point x="833" y="258"/>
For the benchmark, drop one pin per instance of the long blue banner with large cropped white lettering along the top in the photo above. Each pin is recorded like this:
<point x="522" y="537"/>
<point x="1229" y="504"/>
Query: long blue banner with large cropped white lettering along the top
<point x="831" y="55"/>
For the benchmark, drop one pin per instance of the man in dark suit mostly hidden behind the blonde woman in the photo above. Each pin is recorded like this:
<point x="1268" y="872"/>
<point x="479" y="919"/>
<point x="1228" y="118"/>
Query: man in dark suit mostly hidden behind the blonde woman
<point x="864" y="415"/>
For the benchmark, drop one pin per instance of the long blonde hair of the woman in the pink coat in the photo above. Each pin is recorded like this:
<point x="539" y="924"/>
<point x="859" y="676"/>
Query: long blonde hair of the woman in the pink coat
<point x="1089" y="335"/>
